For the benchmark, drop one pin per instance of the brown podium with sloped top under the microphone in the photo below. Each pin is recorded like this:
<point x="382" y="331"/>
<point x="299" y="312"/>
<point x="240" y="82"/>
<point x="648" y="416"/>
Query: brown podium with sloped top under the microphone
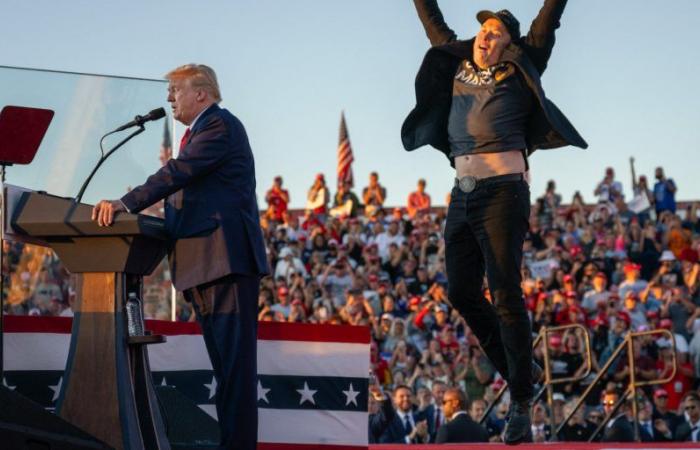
<point x="107" y="389"/>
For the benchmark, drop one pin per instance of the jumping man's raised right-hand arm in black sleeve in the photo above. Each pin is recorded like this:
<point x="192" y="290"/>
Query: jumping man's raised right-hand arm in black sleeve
<point x="540" y="39"/>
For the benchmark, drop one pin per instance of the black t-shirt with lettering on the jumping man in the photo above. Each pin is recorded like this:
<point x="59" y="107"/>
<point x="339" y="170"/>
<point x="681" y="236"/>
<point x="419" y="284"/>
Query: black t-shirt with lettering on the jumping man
<point x="490" y="109"/>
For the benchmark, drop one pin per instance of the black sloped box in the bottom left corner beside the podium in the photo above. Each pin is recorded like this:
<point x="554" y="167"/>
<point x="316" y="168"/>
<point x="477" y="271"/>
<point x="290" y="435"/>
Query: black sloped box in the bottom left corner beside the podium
<point x="25" y="425"/>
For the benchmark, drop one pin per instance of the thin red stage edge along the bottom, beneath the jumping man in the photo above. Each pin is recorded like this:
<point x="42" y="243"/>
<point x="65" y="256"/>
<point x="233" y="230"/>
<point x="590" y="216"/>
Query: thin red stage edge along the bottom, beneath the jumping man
<point x="545" y="446"/>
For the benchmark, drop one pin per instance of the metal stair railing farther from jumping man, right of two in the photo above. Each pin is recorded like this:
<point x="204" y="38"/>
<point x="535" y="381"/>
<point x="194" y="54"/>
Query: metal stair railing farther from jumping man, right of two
<point x="628" y="344"/>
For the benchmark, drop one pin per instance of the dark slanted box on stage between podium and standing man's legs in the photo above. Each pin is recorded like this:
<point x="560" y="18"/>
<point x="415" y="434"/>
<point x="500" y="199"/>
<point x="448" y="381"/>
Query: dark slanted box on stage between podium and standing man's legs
<point x="186" y="424"/>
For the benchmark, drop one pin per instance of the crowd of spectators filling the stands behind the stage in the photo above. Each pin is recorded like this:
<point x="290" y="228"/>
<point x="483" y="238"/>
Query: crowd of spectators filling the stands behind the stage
<point x="618" y="265"/>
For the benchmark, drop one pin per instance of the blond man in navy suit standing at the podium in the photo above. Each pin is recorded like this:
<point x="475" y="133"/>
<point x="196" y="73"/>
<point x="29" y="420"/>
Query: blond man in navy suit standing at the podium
<point x="217" y="253"/>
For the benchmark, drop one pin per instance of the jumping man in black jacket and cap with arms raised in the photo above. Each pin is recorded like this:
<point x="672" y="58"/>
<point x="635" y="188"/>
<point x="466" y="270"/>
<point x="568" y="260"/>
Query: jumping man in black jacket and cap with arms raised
<point x="480" y="102"/>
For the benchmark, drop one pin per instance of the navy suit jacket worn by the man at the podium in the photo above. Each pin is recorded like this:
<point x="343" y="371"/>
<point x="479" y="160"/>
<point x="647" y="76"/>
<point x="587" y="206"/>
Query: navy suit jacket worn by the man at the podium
<point x="212" y="212"/>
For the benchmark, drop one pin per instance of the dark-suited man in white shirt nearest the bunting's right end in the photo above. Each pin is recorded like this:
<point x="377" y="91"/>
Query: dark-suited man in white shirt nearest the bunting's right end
<point x="407" y="427"/>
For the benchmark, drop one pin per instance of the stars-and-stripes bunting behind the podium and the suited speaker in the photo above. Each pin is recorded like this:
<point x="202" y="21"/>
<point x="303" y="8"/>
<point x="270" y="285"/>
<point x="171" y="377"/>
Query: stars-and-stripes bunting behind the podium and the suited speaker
<point x="312" y="379"/>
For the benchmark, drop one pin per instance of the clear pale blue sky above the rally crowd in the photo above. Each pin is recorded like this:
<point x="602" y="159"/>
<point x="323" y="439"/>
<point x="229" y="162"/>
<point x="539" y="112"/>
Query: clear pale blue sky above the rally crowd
<point x="622" y="71"/>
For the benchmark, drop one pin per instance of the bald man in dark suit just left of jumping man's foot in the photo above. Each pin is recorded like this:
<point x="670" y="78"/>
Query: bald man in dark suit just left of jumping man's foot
<point x="460" y="427"/>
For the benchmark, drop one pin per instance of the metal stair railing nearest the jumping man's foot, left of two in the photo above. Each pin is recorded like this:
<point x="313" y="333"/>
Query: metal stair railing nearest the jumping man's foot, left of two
<point x="549" y="381"/>
